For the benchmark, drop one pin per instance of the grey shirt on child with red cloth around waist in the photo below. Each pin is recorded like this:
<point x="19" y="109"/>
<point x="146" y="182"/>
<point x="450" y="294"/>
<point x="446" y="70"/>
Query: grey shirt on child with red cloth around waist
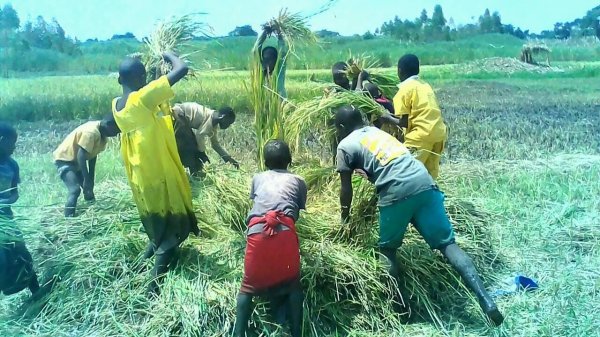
<point x="277" y="190"/>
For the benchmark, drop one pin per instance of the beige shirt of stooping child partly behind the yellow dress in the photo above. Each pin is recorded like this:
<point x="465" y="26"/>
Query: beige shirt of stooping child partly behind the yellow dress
<point x="200" y="118"/>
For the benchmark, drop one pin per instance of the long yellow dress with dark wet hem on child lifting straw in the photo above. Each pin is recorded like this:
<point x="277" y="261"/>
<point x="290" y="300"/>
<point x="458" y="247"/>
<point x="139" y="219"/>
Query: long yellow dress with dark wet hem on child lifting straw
<point x="160" y="187"/>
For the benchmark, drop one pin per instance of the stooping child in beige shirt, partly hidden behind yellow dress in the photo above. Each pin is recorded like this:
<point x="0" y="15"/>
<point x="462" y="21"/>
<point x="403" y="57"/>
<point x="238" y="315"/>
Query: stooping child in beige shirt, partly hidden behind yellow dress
<point x="193" y="124"/>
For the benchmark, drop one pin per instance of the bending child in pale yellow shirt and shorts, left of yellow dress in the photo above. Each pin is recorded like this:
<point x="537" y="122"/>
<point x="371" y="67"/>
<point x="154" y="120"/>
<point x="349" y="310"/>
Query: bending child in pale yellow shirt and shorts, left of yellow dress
<point x="75" y="159"/>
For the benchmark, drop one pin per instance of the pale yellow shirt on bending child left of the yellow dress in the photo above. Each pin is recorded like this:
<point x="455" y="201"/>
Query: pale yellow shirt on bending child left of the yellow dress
<point x="87" y="136"/>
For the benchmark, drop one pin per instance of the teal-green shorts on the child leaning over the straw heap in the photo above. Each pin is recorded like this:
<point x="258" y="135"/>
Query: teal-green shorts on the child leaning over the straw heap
<point x="425" y="211"/>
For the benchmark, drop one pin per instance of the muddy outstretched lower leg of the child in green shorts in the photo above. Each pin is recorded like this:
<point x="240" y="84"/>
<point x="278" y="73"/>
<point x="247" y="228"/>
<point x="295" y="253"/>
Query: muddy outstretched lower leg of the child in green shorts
<point x="463" y="264"/>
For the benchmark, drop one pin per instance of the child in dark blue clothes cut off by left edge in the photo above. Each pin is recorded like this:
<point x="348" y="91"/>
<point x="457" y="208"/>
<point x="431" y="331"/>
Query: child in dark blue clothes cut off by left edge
<point x="16" y="264"/>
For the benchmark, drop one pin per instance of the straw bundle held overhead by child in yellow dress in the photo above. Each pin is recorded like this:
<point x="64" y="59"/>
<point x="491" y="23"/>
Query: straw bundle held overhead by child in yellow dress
<point x="173" y="35"/>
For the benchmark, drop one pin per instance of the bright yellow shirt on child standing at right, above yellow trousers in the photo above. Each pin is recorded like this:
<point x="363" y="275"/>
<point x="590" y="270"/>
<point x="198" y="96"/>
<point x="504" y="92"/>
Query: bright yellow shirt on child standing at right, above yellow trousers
<point x="416" y="99"/>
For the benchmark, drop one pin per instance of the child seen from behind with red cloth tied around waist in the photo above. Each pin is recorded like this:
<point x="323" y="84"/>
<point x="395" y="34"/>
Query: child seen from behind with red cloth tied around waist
<point x="272" y="262"/>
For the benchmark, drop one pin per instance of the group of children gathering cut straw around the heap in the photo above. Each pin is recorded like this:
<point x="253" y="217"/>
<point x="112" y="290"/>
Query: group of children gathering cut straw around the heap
<point x="158" y="141"/>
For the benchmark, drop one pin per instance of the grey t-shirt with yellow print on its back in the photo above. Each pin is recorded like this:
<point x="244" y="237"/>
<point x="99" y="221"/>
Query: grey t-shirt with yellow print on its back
<point x="387" y="162"/>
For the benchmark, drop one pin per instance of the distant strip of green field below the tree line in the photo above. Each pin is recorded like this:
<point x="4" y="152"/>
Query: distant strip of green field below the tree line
<point x="233" y="53"/>
